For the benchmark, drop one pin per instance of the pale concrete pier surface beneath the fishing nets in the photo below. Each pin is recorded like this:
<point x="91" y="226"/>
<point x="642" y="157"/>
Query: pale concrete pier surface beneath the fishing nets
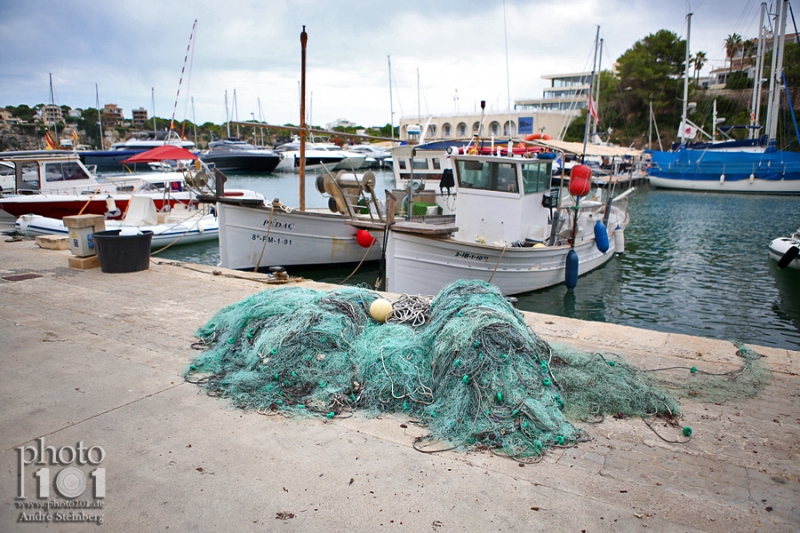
<point x="93" y="362"/>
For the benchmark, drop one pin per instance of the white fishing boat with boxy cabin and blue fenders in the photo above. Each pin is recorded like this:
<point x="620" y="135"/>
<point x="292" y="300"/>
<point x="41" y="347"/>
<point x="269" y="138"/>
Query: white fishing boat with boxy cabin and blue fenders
<point x="511" y="229"/>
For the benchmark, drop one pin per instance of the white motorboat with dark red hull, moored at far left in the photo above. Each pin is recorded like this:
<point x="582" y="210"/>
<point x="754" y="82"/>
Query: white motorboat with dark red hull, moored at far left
<point x="57" y="184"/>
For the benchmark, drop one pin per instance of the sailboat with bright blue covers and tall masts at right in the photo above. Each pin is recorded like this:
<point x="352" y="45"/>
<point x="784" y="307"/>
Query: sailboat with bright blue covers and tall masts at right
<point x="754" y="165"/>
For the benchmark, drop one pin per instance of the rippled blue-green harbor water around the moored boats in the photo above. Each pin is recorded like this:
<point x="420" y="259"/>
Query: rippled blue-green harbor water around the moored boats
<point x="695" y="263"/>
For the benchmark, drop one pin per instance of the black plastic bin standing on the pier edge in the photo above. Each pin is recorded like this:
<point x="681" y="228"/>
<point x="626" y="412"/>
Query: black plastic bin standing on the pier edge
<point x="122" y="253"/>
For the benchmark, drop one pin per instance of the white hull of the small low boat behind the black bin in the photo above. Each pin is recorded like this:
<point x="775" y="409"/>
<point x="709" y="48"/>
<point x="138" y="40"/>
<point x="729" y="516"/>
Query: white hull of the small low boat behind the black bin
<point x="199" y="229"/>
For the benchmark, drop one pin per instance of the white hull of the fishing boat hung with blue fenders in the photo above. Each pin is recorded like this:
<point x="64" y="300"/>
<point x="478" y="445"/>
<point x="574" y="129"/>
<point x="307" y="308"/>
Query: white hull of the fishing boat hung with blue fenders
<point x="423" y="265"/>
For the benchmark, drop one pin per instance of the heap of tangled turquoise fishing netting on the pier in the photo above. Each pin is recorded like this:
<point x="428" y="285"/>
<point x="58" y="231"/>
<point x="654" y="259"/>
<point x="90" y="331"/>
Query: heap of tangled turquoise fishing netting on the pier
<point x="470" y="369"/>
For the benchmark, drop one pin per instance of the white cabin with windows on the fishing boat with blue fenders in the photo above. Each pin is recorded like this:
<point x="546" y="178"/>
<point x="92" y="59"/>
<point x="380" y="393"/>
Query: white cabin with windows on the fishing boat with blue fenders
<point x="503" y="199"/>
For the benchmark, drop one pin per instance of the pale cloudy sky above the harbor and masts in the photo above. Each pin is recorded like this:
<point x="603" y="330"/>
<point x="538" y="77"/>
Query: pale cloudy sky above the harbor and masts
<point x="128" y="48"/>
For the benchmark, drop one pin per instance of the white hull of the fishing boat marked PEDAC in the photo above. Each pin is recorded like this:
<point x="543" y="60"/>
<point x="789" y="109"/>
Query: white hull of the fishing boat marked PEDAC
<point x="249" y="238"/>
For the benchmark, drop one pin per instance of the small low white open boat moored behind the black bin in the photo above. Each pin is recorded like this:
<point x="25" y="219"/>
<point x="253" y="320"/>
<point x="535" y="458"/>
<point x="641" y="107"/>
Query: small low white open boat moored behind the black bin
<point x="179" y="226"/>
